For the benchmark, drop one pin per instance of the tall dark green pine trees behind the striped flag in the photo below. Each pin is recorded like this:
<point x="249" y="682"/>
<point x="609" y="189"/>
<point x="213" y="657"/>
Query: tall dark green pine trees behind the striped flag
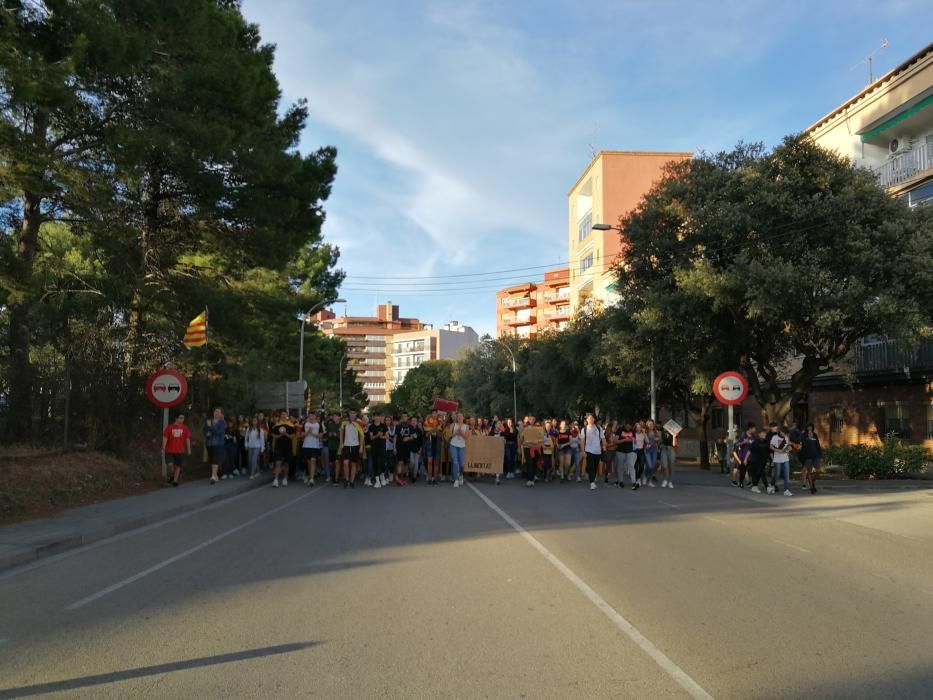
<point x="155" y="129"/>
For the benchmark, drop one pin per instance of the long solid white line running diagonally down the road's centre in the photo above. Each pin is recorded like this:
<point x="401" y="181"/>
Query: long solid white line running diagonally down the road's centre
<point x="659" y="657"/>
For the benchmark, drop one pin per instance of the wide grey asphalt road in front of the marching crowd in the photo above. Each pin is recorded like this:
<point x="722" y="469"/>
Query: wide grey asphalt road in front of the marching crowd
<point x="489" y="592"/>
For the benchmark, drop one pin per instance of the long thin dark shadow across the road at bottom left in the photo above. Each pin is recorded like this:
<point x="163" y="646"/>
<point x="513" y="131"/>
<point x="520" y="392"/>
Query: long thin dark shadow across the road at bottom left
<point x="171" y="667"/>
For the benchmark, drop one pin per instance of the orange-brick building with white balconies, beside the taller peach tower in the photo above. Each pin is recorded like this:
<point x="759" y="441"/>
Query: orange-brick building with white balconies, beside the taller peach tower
<point x="527" y="308"/>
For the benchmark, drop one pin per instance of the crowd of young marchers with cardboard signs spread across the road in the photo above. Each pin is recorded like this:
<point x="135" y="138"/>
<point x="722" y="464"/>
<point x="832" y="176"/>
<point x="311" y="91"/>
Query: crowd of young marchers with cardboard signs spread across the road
<point x="380" y="450"/>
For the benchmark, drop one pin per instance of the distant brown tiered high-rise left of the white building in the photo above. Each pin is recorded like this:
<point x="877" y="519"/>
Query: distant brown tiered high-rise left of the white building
<point x="369" y="345"/>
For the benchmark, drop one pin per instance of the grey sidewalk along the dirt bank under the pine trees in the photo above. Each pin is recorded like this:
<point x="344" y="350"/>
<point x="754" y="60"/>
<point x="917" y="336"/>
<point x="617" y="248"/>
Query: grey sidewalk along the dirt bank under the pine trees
<point x="26" y="542"/>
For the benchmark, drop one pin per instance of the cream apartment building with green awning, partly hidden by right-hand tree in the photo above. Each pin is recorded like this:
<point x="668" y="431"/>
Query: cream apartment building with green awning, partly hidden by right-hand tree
<point x="887" y="128"/>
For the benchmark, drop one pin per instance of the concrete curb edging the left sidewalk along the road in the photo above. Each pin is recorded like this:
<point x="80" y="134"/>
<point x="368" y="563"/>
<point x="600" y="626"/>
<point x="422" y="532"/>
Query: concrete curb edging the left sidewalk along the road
<point x="52" y="547"/>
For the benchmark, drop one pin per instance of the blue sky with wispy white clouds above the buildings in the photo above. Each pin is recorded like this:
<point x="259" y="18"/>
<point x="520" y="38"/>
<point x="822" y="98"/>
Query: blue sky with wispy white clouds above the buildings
<point x="460" y="126"/>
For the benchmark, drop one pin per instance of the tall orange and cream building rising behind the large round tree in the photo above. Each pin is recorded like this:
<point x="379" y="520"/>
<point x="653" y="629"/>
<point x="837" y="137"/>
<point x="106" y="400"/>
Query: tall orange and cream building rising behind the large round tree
<point x="610" y="187"/>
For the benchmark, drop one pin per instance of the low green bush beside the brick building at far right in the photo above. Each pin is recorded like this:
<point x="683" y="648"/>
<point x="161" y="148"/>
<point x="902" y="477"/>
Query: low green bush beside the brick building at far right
<point x="893" y="459"/>
